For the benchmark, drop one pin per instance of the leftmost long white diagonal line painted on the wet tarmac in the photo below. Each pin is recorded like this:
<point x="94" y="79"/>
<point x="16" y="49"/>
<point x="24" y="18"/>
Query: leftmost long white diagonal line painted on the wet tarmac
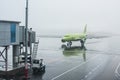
<point x="73" y="68"/>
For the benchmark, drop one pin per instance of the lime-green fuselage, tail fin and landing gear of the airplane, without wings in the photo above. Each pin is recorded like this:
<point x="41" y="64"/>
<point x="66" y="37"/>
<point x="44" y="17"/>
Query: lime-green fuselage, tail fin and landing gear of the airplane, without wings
<point x="75" y="37"/>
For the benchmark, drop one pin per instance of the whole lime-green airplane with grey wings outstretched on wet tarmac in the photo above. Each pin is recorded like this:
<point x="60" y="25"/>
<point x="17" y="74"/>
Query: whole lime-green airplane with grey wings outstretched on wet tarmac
<point x="69" y="38"/>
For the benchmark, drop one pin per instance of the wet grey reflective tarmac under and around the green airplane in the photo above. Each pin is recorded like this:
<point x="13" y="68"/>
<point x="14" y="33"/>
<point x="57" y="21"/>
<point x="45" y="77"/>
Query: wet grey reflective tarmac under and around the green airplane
<point x="100" y="60"/>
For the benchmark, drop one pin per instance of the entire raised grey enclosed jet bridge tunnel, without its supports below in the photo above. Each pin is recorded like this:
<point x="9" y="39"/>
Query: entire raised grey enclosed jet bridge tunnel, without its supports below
<point x="13" y="34"/>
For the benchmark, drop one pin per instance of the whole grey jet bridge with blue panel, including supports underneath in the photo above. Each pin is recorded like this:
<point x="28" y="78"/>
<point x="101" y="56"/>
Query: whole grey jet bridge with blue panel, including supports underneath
<point x="12" y="41"/>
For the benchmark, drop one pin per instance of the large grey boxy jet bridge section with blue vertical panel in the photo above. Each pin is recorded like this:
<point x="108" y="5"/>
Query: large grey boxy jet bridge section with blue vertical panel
<point x="9" y="33"/>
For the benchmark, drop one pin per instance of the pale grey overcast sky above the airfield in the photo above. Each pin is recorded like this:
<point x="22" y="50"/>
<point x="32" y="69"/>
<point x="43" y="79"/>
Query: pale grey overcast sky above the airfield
<point x="57" y="16"/>
